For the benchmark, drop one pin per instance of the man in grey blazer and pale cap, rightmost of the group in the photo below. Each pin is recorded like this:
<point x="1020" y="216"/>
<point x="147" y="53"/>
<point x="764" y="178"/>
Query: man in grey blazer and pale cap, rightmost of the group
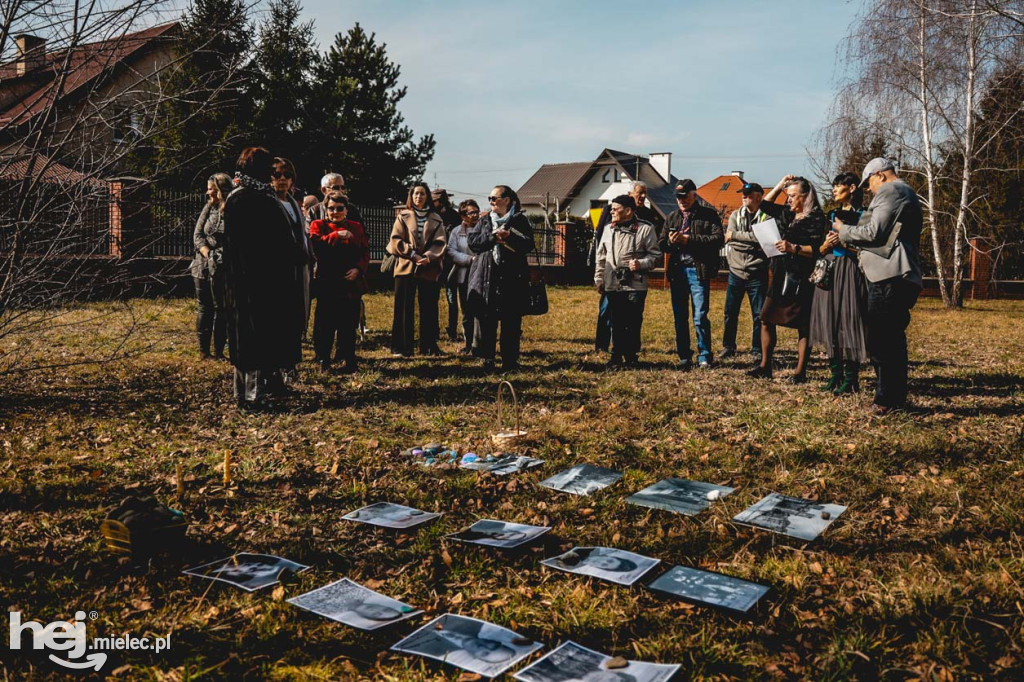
<point x="888" y="235"/>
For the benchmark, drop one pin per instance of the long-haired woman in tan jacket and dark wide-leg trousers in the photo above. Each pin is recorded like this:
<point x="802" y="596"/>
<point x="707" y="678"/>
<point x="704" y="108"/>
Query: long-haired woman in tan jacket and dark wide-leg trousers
<point x="418" y="244"/>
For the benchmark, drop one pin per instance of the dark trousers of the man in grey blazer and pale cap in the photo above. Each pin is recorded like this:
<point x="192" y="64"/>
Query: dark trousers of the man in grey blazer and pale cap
<point x="889" y="305"/>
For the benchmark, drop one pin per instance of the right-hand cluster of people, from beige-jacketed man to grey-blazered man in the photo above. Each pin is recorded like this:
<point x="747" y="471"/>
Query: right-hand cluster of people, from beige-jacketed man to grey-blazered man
<point x="868" y="276"/>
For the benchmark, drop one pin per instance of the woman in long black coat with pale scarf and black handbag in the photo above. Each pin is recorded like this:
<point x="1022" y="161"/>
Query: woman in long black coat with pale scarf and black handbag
<point x="499" y="278"/>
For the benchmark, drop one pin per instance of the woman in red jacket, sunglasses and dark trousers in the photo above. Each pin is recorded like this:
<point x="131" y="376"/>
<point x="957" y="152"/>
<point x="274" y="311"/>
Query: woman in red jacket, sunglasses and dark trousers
<point x="343" y="258"/>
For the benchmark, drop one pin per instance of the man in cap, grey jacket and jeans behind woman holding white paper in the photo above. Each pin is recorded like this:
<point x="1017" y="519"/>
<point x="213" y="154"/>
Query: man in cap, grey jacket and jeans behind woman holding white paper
<point x="748" y="268"/>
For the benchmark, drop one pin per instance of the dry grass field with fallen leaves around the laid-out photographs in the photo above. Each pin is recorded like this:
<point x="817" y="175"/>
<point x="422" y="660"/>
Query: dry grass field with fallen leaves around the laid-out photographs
<point x="920" y="579"/>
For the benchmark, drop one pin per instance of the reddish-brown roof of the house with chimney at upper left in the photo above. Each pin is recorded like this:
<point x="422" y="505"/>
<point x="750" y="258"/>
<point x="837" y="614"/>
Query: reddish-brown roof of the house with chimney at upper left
<point x="89" y="62"/>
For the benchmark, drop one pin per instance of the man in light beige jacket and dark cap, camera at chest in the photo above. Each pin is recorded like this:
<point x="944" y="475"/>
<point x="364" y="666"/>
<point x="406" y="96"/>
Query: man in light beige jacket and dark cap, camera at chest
<point x="628" y="251"/>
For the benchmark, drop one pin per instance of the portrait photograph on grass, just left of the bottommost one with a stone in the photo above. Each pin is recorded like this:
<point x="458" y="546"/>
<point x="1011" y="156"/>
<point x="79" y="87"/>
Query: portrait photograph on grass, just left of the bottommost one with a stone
<point x="468" y="644"/>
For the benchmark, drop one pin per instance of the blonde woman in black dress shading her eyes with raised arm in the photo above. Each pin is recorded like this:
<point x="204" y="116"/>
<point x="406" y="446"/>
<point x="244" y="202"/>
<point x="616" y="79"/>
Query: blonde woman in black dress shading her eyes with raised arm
<point x="790" y="292"/>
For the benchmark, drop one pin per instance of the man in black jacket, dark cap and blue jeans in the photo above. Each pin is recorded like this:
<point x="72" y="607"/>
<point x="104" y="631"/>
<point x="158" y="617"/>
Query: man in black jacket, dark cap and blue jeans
<point x="693" y="238"/>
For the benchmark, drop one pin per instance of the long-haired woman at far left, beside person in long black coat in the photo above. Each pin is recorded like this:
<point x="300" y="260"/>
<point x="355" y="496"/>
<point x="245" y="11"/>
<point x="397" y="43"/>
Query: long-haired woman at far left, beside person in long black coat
<point x="207" y="276"/>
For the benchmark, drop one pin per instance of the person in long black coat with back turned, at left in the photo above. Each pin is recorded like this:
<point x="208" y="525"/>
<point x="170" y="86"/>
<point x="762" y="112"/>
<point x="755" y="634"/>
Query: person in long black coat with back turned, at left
<point x="263" y="296"/>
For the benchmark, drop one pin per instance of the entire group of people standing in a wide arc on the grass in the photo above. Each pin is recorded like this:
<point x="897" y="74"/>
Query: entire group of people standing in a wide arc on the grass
<point x="261" y="259"/>
